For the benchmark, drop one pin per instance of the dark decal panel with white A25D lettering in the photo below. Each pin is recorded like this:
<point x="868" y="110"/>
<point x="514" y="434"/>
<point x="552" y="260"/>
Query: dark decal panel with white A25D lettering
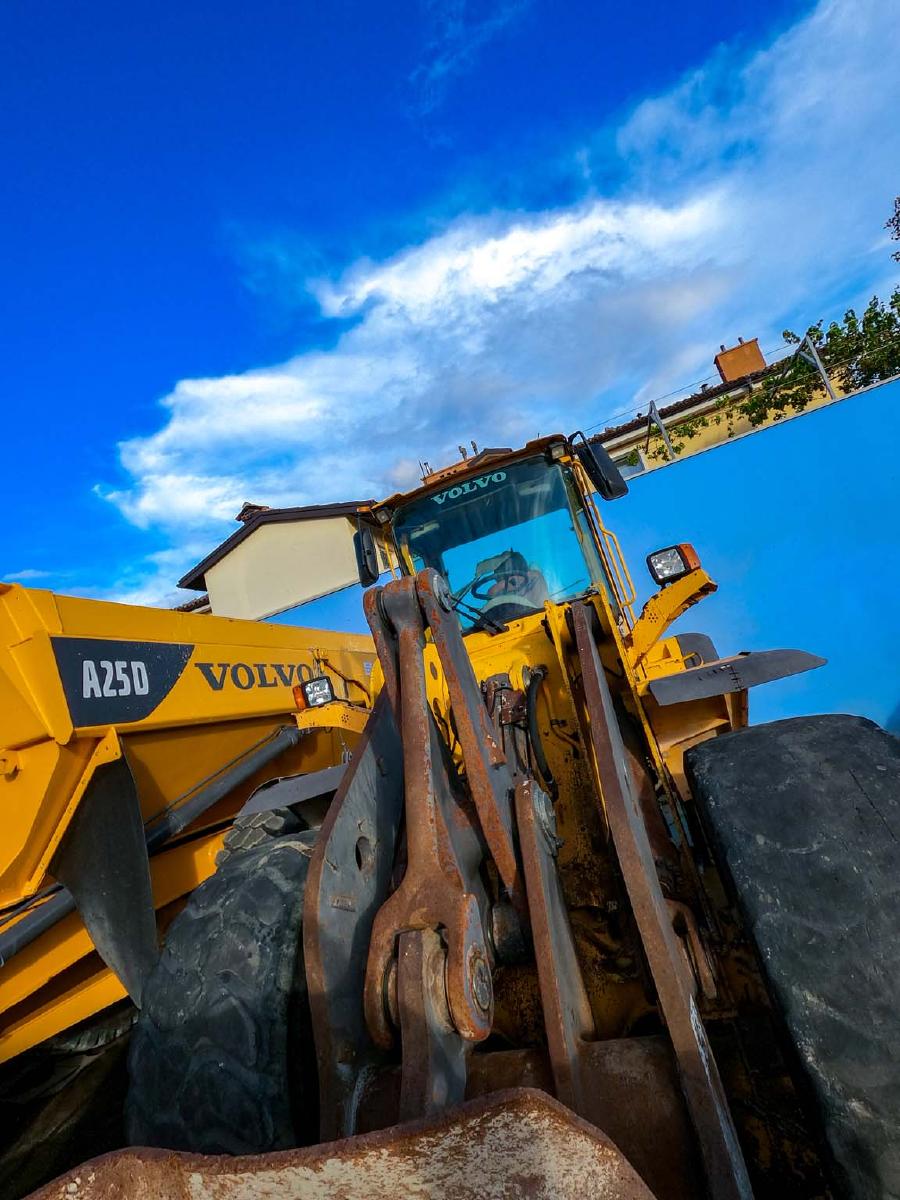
<point x="110" y="682"/>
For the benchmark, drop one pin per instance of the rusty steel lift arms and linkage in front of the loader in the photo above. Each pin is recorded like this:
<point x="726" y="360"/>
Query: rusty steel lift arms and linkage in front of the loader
<point x="403" y="867"/>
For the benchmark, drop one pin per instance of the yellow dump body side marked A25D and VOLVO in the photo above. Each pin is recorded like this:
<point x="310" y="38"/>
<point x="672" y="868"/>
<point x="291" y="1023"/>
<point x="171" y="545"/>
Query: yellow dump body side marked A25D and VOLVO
<point x="74" y="670"/>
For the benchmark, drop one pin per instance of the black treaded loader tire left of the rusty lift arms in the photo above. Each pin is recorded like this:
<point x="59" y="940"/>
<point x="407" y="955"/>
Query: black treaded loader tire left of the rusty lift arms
<point x="215" y="1063"/>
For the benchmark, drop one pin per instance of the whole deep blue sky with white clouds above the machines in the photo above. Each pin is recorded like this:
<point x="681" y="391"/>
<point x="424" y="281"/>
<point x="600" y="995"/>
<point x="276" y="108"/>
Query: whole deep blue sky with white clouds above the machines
<point x="283" y="253"/>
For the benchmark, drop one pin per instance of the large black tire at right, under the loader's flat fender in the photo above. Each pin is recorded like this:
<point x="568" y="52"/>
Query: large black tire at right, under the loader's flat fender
<point x="806" y="818"/>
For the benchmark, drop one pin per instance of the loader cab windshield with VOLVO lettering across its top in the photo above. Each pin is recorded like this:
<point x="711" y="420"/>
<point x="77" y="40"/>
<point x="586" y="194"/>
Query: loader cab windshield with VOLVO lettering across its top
<point x="507" y="542"/>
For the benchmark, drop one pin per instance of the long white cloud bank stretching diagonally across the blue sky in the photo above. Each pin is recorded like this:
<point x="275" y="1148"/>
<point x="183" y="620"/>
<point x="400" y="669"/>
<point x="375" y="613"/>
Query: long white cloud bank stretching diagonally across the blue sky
<point x="754" y="196"/>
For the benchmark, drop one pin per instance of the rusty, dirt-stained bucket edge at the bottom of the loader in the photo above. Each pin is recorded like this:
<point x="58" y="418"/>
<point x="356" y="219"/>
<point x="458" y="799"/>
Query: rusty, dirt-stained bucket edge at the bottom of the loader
<point x="515" y="1144"/>
